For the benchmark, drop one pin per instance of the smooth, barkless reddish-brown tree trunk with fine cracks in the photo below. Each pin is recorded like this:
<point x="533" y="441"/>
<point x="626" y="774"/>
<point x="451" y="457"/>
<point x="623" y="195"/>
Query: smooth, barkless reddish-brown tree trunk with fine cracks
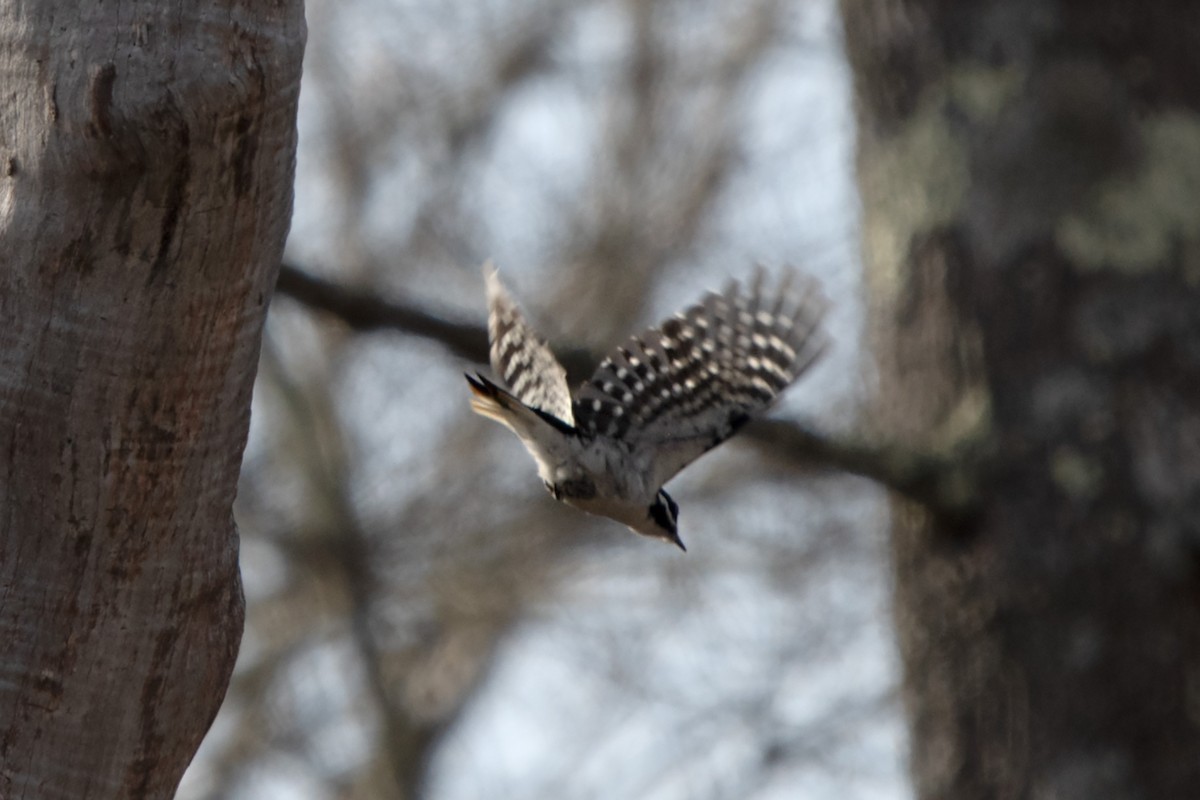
<point x="146" y="188"/>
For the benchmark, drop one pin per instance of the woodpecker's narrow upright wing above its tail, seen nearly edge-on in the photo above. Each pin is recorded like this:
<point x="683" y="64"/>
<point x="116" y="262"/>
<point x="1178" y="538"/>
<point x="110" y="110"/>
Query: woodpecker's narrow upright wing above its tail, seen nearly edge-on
<point x="520" y="358"/>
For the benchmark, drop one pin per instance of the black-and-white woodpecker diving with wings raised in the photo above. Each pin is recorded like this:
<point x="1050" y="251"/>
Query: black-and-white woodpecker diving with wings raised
<point x="655" y="405"/>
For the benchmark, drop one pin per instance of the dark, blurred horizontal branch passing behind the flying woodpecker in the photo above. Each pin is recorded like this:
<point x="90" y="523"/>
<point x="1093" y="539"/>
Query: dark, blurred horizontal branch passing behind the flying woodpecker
<point x="946" y="485"/>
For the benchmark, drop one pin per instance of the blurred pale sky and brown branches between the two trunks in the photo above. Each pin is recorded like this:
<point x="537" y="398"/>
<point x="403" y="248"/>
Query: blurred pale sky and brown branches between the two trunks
<point x="423" y="621"/>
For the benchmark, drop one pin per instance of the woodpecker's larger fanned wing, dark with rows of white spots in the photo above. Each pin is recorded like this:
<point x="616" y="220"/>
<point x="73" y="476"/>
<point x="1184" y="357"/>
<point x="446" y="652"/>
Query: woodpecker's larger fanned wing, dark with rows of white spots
<point x="681" y="389"/>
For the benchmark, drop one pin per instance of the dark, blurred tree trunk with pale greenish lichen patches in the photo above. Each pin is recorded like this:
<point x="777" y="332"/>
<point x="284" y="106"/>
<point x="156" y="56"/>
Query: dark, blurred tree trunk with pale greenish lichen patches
<point x="1031" y="178"/>
